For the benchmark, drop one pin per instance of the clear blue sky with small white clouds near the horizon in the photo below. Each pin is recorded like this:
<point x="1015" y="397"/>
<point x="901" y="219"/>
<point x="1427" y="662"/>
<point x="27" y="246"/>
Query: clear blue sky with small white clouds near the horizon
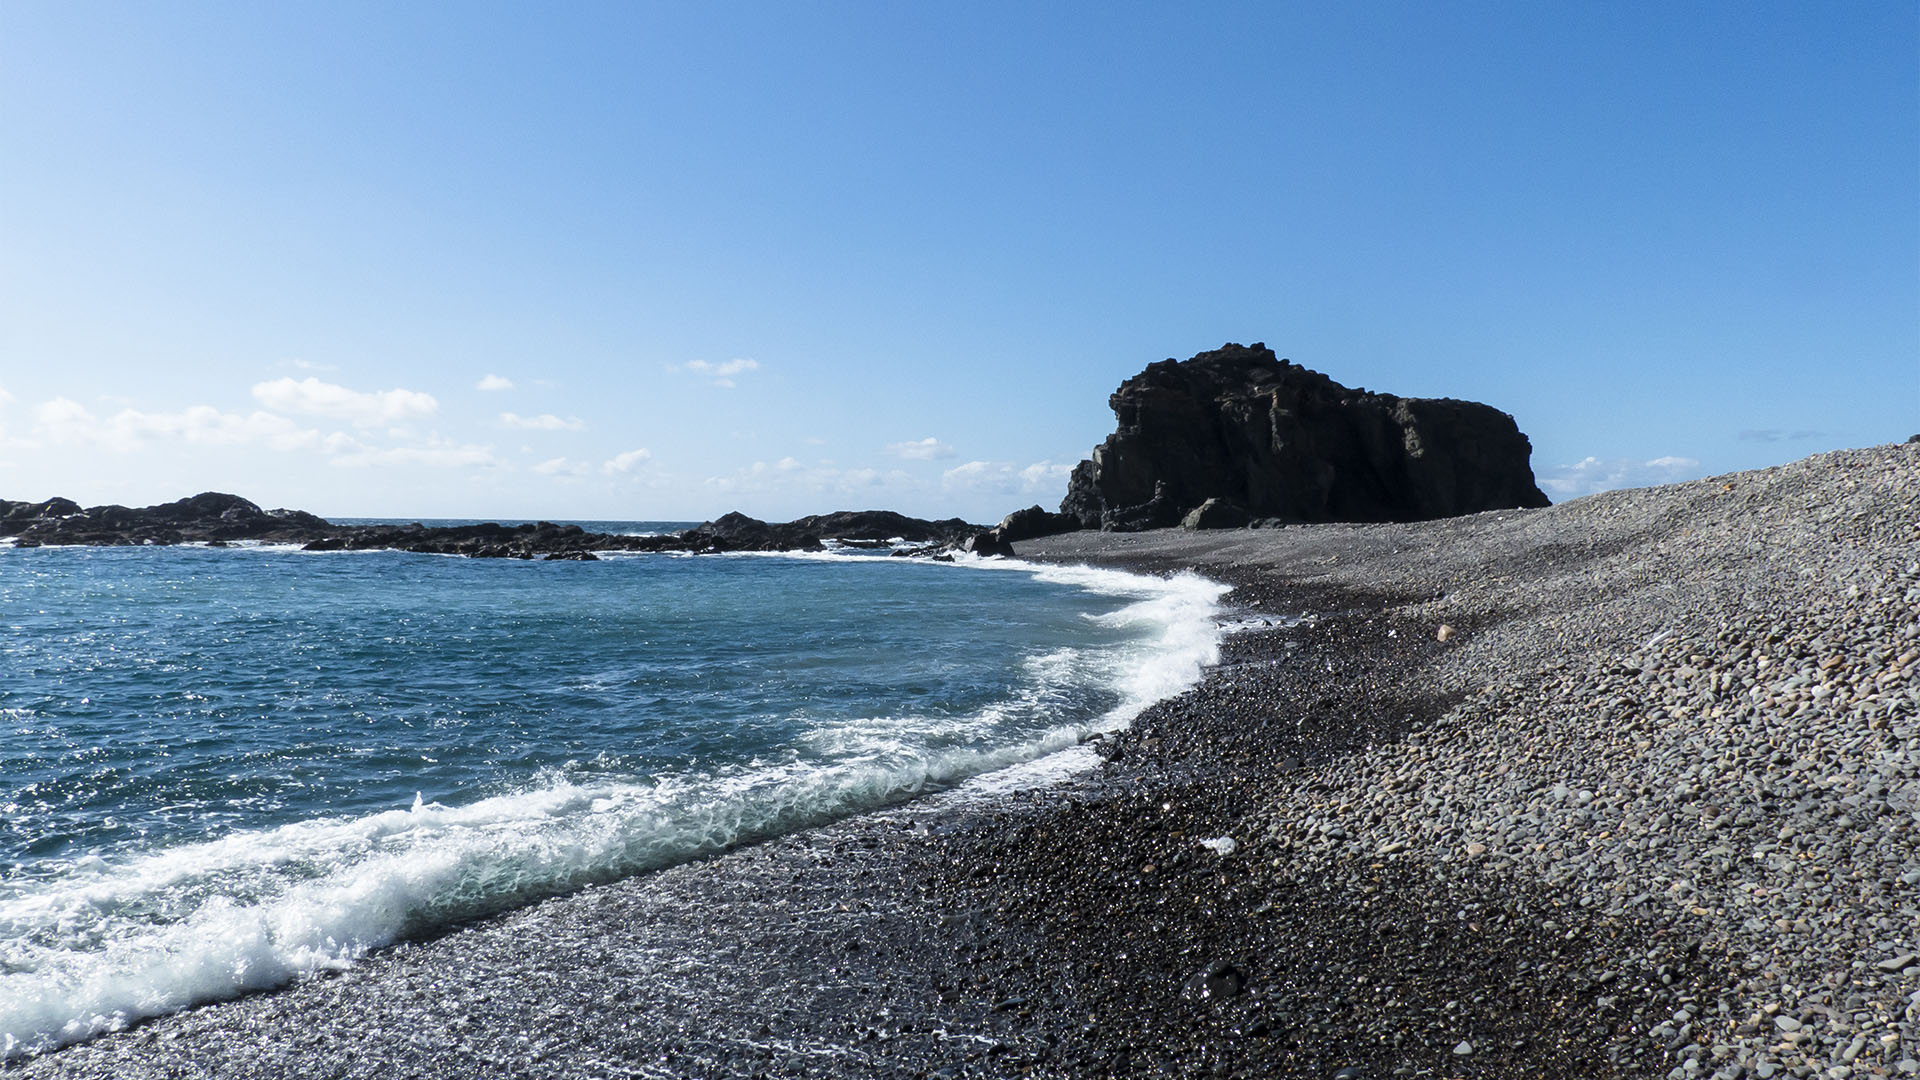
<point x="669" y="260"/>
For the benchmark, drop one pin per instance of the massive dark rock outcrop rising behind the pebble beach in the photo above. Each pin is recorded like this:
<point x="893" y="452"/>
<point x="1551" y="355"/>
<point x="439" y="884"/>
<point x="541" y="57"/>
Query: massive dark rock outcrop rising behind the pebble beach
<point x="1276" y="441"/>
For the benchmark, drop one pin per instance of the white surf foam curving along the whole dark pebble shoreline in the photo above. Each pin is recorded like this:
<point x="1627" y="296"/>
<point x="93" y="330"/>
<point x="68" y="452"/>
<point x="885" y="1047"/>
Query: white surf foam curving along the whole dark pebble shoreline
<point x="108" y="943"/>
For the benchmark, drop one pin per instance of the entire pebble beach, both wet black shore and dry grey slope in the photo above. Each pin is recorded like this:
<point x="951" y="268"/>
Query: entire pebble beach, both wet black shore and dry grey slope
<point x="1356" y="762"/>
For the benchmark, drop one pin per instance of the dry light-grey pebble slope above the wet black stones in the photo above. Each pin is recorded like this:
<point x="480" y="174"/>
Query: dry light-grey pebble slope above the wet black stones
<point x="1687" y="710"/>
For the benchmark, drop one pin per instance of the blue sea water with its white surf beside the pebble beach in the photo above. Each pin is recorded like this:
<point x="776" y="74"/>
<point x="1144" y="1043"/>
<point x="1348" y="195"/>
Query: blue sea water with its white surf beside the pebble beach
<point x="224" y="770"/>
